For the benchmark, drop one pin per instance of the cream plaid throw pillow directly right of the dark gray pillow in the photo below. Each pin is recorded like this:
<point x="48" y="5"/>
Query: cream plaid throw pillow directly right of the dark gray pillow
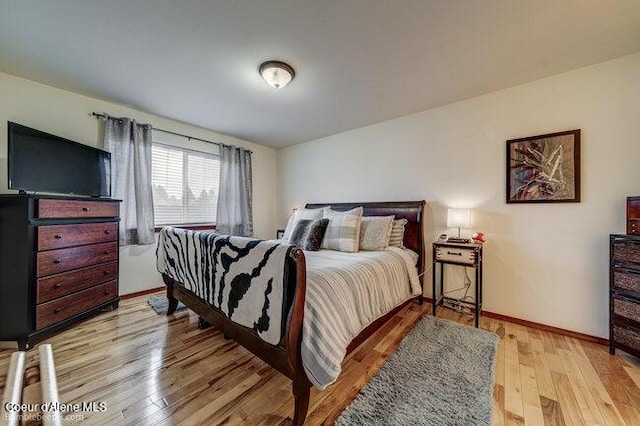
<point x="343" y="231"/>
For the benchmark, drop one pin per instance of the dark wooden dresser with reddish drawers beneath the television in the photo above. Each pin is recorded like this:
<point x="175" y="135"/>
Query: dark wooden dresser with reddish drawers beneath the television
<point x="58" y="263"/>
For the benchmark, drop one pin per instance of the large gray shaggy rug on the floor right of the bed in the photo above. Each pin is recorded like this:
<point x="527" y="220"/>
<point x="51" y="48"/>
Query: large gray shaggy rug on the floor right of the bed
<point x="441" y="374"/>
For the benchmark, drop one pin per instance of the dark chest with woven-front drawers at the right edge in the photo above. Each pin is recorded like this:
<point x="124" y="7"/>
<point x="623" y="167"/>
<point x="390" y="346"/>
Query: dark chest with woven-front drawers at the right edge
<point x="624" y="298"/>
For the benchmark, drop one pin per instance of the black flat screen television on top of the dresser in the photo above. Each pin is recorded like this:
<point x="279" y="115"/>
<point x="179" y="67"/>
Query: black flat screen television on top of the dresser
<point x="40" y="162"/>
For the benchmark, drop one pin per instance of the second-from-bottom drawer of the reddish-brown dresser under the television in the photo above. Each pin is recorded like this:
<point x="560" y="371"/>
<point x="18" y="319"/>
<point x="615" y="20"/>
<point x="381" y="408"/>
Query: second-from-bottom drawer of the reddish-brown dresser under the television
<point x="55" y="286"/>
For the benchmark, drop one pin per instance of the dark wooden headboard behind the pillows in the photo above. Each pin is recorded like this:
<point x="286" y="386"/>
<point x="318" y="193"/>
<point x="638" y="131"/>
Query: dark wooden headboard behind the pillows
<point x="413" y="211"/>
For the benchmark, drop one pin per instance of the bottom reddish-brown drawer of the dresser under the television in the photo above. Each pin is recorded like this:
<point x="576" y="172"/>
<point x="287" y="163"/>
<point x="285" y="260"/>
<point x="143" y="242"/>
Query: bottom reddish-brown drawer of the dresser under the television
<point x="60" y="309"/>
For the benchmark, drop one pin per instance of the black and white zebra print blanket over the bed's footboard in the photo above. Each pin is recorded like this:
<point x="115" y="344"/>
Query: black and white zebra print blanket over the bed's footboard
<point x="243" y="277"/>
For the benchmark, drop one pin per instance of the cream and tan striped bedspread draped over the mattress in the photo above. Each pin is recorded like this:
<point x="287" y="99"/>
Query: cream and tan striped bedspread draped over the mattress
<point x="345" y="293"/>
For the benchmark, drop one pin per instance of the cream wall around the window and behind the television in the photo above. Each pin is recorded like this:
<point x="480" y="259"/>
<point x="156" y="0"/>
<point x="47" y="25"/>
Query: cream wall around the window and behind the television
<point x="64" y="113"/>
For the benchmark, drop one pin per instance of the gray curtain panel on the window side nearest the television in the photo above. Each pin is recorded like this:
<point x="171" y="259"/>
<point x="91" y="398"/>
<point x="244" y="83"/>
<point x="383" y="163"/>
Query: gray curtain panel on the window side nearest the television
<point x="130" y="147"/>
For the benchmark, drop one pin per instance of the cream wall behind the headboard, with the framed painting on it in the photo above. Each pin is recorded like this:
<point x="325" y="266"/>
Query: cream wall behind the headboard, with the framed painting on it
<point x="546" y="263"/>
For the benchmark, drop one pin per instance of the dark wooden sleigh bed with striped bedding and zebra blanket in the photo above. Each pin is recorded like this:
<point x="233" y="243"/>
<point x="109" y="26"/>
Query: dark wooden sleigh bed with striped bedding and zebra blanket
<point x="297" y="347"/>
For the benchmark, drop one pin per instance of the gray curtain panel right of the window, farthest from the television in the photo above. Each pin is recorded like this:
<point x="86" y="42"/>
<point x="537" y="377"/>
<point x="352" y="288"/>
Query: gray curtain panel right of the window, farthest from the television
<point x="235" y="216"/>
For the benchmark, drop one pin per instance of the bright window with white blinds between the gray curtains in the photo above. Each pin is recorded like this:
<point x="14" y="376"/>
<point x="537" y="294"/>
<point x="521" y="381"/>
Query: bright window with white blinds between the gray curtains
<point x="185" y="186"/>
